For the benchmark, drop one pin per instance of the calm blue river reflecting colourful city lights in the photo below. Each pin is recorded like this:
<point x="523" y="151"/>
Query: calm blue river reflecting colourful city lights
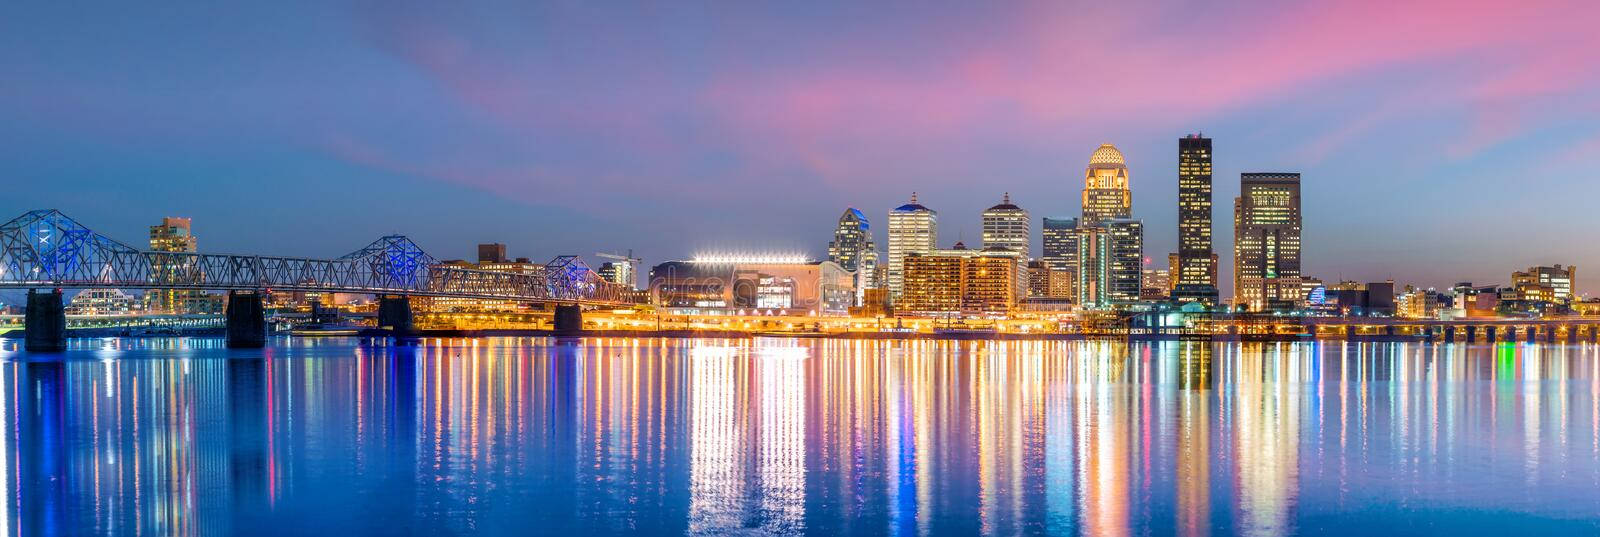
<point x="342" y="437"/>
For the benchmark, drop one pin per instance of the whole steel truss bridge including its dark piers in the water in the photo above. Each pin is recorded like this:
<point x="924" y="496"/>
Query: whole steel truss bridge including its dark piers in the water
<point x="47" y="250"/>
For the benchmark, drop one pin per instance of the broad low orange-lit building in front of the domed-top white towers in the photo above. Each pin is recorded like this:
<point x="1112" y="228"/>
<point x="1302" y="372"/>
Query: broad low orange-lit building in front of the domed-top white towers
<point x="962" y="282"/>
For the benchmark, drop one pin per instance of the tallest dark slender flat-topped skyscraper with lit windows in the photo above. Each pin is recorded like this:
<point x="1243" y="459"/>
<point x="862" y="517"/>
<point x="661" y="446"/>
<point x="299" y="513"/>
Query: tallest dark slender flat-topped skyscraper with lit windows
<point x="1196" y="269"/>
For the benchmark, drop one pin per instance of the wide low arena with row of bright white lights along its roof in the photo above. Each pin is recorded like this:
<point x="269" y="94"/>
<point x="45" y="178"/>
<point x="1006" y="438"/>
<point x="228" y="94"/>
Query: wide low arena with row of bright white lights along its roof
<point x="754" y="285"/>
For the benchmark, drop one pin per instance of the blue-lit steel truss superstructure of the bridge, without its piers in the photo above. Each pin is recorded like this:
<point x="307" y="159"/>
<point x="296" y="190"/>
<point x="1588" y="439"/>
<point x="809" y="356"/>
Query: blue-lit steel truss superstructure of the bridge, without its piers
<point x="50" y="250"/>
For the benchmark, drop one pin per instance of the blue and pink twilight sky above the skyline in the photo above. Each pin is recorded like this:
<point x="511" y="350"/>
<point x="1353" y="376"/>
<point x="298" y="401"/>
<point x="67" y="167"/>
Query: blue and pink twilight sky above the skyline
<point x="1439" y="141"/>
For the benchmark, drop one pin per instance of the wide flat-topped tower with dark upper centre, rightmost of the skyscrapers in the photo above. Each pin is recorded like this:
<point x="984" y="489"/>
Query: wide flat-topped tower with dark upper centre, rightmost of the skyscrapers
<point x="1268" y="242"/>
